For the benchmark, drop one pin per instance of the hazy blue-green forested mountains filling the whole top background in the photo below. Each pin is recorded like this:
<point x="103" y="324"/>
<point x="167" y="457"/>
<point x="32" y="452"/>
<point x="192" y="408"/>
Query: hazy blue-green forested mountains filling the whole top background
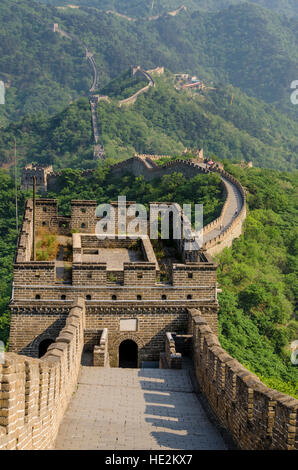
<point x="44" y="72"/>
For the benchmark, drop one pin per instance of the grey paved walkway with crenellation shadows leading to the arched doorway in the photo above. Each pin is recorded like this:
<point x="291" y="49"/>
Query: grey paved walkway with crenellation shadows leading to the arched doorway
<point x="136" y="409"/>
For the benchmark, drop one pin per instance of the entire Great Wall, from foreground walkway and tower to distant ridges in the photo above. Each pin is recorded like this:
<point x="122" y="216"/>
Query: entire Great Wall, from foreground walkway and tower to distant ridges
<point x="68" y="392"/>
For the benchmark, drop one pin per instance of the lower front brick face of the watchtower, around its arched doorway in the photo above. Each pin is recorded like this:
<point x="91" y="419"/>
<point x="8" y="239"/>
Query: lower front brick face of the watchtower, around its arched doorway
<point x="32" y="321"/>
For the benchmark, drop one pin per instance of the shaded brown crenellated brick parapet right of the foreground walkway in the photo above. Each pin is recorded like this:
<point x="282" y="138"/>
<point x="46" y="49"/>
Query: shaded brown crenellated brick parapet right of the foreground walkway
<point x="257" y="417"/>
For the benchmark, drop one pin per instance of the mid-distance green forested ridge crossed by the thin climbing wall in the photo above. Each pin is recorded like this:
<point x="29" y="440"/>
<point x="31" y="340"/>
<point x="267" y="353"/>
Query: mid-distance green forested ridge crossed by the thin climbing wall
<point x="225" y="122"/>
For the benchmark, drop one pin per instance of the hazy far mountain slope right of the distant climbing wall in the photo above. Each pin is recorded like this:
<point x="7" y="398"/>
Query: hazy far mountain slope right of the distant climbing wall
<point x="246" y="45"/>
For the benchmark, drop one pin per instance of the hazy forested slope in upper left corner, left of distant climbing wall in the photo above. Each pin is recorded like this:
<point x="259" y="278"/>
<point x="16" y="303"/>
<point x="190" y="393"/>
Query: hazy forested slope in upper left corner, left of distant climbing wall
<point x="42" y="71"/>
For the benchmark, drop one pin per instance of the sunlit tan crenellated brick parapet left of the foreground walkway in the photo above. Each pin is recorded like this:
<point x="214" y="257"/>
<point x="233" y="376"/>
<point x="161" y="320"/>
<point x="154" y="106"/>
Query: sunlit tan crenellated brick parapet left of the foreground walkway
<point x="34" y="393"/>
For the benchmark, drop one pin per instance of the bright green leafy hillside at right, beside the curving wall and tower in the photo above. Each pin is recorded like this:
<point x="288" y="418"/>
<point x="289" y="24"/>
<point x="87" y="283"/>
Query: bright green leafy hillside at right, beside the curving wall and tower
<point x="258" y="275"/>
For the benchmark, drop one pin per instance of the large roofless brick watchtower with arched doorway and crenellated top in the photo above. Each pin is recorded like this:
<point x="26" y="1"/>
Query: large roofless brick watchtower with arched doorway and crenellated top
<point x="132" y="296"/>
